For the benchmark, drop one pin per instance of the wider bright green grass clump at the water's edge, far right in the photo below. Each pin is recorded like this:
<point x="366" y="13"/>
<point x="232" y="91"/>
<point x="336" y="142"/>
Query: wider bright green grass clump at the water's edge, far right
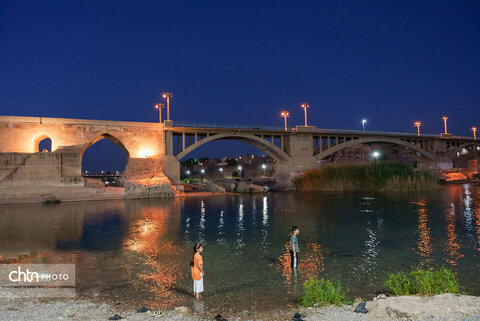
<point x="423" y="282"/>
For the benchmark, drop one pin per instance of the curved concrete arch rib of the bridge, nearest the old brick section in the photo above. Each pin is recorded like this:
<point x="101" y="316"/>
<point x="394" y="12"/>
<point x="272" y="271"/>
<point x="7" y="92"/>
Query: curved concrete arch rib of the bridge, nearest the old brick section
<point x="267" y="147"/>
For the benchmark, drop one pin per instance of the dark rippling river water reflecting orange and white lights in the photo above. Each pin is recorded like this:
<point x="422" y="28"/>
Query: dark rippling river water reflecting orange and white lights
<point x="137" y="253"/>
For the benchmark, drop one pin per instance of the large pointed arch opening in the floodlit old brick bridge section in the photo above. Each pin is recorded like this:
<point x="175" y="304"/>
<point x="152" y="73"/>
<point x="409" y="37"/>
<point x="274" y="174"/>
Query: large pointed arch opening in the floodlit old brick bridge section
<point x="105" y="159"/>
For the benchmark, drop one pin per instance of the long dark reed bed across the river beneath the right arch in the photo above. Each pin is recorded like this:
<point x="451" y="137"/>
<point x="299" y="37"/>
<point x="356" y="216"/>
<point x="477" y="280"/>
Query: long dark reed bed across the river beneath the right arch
<point x="384" y="176"/>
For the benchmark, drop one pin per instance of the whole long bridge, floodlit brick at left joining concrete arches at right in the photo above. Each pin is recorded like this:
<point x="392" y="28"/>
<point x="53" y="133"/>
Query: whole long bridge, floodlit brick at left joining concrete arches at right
<point x="154" y="150"/>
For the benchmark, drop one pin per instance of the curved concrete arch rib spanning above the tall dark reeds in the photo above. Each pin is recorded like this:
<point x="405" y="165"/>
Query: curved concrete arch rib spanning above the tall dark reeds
<point x="366" y="140"/>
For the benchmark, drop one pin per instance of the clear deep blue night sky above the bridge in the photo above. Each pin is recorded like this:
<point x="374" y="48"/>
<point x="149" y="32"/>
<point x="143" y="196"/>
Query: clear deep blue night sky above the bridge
<point x="392" y="62"/>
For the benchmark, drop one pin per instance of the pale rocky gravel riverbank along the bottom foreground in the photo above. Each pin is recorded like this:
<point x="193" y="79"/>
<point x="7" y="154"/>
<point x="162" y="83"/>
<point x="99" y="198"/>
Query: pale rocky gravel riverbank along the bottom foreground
<point x="440" y="307"/>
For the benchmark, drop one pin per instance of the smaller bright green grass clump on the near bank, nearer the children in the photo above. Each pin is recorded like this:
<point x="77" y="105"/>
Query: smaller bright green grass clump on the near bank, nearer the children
<point x="323" y="292"/>
